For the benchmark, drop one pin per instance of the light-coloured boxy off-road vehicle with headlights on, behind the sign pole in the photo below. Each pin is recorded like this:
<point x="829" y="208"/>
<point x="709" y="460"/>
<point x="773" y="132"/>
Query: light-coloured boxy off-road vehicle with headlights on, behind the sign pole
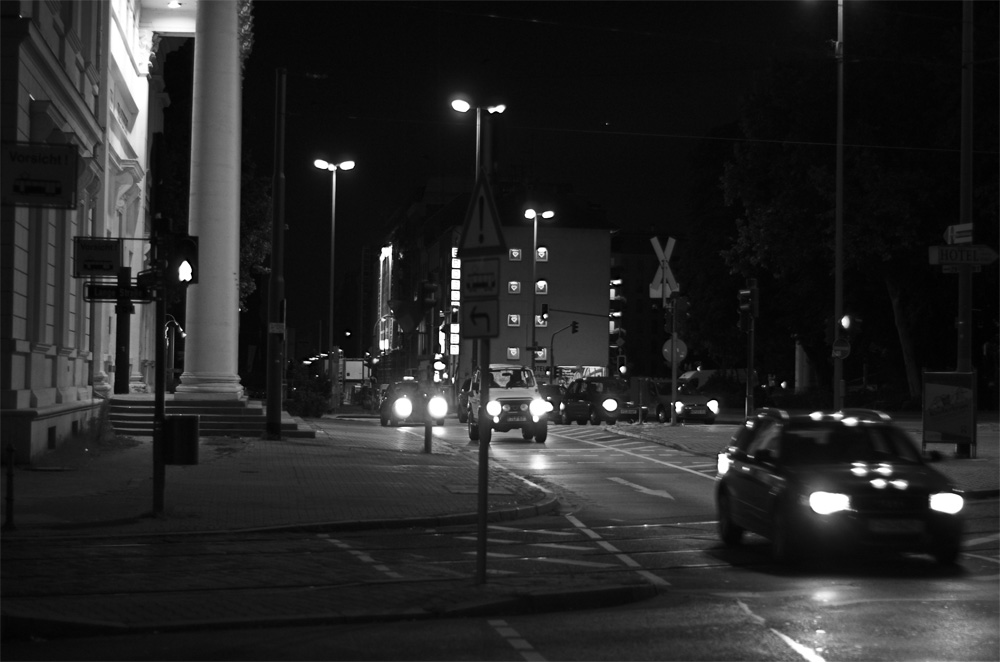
<point x="514" y="402"/>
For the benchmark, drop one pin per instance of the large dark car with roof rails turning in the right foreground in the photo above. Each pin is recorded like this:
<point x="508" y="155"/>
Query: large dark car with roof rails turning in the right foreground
<point x="847" y="480"/>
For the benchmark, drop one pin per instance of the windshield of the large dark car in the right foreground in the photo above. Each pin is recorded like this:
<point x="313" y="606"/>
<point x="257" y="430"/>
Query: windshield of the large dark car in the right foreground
<point x="849" y="444"/>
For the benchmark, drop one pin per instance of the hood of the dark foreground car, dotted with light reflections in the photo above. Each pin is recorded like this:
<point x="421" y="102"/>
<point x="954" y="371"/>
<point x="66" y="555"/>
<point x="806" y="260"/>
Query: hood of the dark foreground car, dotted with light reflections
<point x="872" y="478"/>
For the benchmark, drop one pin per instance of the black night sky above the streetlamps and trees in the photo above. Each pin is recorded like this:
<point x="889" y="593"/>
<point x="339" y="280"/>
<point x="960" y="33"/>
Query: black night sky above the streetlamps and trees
<point x="608" y="96"/>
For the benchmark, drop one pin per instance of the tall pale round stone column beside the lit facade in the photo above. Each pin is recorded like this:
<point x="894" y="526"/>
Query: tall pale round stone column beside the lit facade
<point x="211" y="354"/>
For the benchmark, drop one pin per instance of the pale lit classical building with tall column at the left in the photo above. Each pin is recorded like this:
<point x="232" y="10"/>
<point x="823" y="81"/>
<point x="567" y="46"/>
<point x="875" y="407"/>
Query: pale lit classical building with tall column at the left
<point x="76" y="80"/>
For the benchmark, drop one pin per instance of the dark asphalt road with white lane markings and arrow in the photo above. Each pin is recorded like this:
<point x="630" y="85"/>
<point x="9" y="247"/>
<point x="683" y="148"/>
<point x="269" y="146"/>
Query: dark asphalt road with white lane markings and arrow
<point x="631" y="509"/>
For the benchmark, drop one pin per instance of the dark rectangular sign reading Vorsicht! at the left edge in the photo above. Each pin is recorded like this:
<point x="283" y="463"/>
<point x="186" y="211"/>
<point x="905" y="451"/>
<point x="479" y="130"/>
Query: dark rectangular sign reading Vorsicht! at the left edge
<point x="38" y="175"/>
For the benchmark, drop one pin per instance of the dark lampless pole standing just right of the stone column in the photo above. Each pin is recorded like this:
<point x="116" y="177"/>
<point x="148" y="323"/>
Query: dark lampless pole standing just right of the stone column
<point x="276" y="283"/>
